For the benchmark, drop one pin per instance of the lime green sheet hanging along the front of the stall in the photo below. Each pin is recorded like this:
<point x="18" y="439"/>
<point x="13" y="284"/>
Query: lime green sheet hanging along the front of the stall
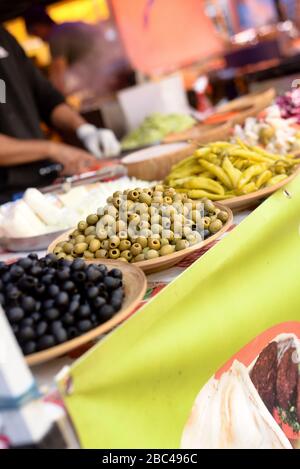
<point x="135" y="389"/>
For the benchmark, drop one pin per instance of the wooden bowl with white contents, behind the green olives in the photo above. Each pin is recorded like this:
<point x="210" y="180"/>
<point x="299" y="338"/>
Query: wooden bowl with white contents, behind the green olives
<point x="154" y="163"/>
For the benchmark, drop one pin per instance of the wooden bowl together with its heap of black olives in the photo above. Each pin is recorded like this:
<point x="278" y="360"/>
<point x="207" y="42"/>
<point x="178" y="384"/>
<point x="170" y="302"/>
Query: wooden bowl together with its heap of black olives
<point x="56" y="305"/>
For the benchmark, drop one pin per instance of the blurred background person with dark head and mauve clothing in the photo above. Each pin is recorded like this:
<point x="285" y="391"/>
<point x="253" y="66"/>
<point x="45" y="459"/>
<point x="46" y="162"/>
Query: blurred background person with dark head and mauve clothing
<point x="86" y="59"/>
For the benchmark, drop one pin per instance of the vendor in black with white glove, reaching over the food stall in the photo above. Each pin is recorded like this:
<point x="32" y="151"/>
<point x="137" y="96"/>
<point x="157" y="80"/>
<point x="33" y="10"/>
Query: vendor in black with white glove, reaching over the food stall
<point x="30" y="99"/>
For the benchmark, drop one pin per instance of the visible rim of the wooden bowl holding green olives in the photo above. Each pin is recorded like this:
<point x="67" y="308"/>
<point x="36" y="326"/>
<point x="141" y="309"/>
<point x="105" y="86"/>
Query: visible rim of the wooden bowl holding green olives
<point x="164" y="262"/>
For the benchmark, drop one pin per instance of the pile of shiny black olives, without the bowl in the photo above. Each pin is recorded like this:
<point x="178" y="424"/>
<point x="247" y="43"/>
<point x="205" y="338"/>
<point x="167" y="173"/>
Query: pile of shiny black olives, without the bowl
<point x="49" y="301"/>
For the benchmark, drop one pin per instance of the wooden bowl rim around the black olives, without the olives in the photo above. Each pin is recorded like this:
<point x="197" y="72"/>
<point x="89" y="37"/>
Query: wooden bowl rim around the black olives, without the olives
<point x="135" y="285"/>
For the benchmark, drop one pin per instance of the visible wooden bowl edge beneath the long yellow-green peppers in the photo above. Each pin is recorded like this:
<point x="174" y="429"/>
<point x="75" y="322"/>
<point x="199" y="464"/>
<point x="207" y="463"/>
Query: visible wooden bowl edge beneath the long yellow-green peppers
<point x="245" y="201"/>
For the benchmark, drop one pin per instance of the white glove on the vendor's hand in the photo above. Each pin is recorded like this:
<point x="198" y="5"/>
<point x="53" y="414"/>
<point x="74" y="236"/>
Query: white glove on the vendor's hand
<point x="100" y="142"/>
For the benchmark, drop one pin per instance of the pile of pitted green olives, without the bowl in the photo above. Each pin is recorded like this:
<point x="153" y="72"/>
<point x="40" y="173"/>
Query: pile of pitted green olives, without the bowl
<point x="143" y="224"/>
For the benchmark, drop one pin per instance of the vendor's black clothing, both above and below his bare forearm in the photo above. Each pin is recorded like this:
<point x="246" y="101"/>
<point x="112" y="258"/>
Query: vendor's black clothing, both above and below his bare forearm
<point x="30" y="99"/>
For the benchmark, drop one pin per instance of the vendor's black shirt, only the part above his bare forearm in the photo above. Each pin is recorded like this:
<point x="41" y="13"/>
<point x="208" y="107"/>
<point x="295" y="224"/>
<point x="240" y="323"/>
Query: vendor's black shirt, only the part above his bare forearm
<point x="30" y="97"/>
